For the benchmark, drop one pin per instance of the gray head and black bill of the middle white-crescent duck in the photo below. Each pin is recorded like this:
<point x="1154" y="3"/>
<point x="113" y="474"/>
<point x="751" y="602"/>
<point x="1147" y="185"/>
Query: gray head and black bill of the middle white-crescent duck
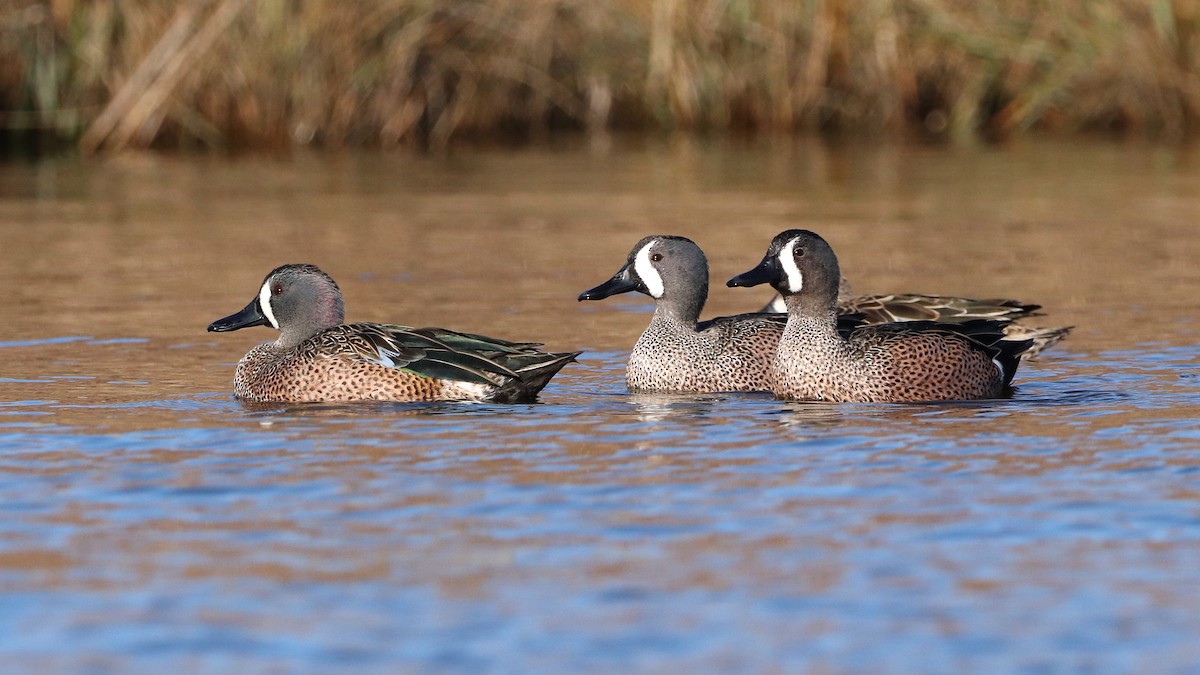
<point x="671" y="270"/>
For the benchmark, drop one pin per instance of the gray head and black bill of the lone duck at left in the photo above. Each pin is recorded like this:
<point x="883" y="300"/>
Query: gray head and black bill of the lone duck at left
<point x="299" y="301"/>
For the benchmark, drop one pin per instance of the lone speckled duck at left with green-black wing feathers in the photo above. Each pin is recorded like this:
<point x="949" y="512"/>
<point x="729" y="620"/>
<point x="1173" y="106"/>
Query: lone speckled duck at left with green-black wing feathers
<point x="319" y="359"/>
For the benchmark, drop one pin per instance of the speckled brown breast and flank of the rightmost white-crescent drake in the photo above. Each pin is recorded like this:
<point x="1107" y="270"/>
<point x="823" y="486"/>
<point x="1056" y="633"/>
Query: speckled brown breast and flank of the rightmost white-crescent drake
<point x="884" y="368"/>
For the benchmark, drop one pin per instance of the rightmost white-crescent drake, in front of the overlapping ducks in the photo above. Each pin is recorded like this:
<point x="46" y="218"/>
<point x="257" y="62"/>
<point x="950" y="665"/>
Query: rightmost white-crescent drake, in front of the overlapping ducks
<point x="884" y="363"/>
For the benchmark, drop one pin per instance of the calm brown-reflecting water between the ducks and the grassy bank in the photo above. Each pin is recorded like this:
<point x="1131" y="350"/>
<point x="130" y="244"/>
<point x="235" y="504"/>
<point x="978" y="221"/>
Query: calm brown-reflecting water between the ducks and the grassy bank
<point x="153" y="247"/>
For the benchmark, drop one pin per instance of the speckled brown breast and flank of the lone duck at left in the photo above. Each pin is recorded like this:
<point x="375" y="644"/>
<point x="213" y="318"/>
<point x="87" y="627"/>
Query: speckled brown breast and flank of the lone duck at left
<point x="267" y="374"/>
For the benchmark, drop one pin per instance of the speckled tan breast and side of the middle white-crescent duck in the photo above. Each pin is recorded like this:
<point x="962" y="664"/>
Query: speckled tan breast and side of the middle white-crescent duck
<point x="730" y="356"/>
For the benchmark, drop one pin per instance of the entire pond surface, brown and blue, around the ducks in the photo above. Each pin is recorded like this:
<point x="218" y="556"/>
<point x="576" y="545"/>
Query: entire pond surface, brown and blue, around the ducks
<point x="152" y="523"/>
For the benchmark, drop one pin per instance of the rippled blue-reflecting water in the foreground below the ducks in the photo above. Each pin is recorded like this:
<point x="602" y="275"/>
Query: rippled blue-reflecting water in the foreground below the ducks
<point x="603" y="530"/>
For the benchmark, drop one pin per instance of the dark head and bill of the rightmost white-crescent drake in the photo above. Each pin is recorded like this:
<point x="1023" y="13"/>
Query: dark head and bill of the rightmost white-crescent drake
<point x="802" y="267"/>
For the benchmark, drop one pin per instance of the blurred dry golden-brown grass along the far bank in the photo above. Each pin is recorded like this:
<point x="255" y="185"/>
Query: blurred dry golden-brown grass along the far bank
<point x="268" y="74"/>
